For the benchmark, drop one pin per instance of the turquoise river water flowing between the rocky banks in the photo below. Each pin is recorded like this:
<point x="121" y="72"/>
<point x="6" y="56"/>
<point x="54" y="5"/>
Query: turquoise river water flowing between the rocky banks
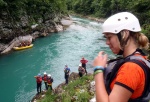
<point x="50" y="54"/>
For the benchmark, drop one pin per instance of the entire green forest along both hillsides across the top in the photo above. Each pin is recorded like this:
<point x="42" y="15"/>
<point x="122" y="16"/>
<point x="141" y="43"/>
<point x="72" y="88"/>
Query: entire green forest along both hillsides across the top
<point x="19" y="15"/>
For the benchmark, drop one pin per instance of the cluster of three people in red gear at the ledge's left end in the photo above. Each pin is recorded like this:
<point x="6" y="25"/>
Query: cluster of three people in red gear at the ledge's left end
<point x="48" y="80"/>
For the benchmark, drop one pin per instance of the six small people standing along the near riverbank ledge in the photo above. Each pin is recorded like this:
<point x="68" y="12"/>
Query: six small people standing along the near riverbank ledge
<point x="48" y="80"/>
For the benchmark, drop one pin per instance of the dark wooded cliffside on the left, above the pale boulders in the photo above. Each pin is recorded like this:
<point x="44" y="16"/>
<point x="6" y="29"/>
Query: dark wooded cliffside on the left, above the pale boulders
<point x="17" y="16"/>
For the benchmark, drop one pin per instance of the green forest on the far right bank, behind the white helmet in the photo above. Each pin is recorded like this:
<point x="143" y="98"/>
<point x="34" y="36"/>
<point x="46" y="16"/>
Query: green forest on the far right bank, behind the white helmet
<point x="105" y="8"/>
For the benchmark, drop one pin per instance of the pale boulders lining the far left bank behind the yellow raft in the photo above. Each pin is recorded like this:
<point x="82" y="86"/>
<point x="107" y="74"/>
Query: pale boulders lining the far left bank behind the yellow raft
<point x="50" y="27"/>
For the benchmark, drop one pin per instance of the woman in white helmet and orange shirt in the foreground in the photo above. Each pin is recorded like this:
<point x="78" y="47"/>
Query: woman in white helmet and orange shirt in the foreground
<point x="122" y="32"/>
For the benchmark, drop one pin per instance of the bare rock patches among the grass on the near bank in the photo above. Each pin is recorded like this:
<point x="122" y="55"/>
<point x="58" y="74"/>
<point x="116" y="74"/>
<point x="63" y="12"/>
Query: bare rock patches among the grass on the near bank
<point x="59" y="90"/>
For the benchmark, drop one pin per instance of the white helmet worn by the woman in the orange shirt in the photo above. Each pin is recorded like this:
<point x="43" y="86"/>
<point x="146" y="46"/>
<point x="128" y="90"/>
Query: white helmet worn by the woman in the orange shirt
<point x="121" y="21"/>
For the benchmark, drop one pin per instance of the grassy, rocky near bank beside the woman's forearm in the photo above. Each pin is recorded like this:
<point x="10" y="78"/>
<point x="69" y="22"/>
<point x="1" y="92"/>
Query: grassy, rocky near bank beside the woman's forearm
<point x="78" y="90"/>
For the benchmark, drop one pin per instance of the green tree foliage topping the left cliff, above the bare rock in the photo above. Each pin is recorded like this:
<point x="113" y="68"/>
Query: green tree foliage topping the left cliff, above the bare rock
<point x="35" y="9"/>
